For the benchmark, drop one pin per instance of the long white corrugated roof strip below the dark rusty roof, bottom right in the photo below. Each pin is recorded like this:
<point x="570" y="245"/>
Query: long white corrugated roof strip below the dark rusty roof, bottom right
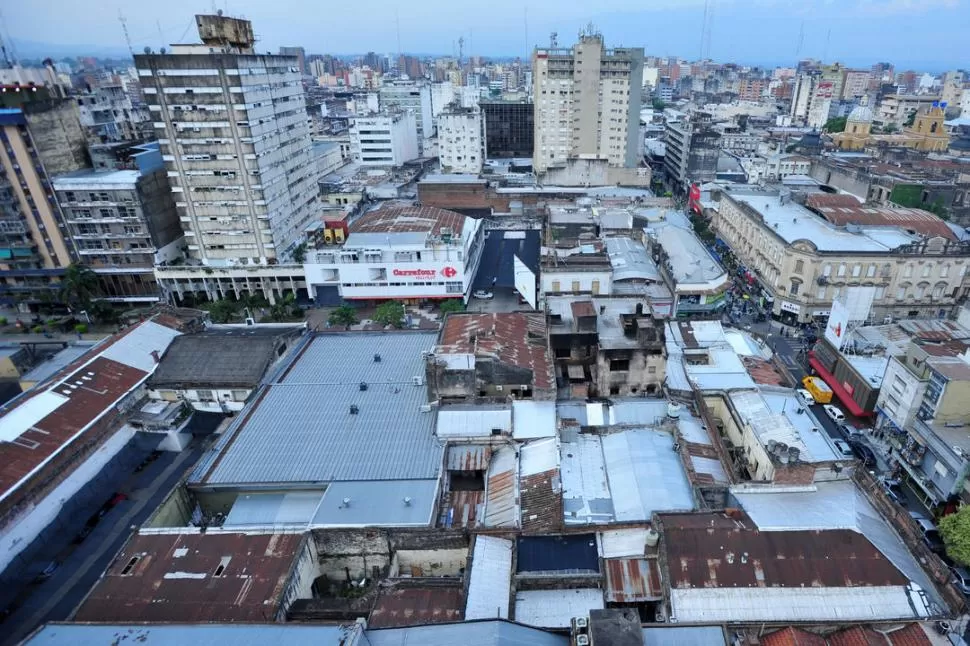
<point x="795" y="604"/>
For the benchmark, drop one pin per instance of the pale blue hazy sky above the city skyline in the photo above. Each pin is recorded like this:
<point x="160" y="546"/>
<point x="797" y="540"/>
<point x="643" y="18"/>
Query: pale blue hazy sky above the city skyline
<point x="927" y="33"/>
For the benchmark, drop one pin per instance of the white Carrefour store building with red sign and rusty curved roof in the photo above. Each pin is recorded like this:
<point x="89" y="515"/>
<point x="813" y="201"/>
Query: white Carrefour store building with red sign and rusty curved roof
<point x="399" y="252"/>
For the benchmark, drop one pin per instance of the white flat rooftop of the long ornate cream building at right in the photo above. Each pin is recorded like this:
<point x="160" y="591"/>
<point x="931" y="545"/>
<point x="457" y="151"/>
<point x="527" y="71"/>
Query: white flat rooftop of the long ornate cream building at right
<point x="792" y="221"/>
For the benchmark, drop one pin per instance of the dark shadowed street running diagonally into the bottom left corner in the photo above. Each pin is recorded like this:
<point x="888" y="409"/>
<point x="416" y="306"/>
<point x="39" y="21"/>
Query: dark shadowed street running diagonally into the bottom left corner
<point x="57" y="597"/>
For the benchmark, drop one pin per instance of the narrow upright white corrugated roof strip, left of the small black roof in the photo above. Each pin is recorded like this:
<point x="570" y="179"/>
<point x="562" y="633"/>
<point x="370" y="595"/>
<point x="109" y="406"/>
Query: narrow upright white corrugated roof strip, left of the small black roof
<point x="491" y="576"/>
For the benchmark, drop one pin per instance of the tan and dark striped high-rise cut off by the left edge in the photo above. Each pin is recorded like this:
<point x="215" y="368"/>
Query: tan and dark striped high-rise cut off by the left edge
<point x="40" y="136"/>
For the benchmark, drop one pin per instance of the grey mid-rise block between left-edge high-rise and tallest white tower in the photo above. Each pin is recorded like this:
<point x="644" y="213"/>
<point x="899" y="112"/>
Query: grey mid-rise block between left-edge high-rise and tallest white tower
<point x="122" y="224"/>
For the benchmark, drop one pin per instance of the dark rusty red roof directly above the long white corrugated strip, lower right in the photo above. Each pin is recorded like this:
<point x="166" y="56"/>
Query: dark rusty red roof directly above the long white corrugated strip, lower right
<point x="740" y="556"/>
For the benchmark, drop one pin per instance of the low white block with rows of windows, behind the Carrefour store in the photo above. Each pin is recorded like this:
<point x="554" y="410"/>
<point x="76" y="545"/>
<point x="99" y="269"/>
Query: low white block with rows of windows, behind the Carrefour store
<point x="384" y="140"/>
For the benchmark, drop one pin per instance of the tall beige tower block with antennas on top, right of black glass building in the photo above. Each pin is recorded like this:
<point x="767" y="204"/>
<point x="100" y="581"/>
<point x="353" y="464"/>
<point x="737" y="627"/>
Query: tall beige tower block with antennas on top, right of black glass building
<point x="587" y="103"/>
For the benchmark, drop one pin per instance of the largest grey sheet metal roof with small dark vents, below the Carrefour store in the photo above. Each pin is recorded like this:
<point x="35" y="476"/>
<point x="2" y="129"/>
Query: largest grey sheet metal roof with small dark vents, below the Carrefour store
<point x="299" y="429"/>
